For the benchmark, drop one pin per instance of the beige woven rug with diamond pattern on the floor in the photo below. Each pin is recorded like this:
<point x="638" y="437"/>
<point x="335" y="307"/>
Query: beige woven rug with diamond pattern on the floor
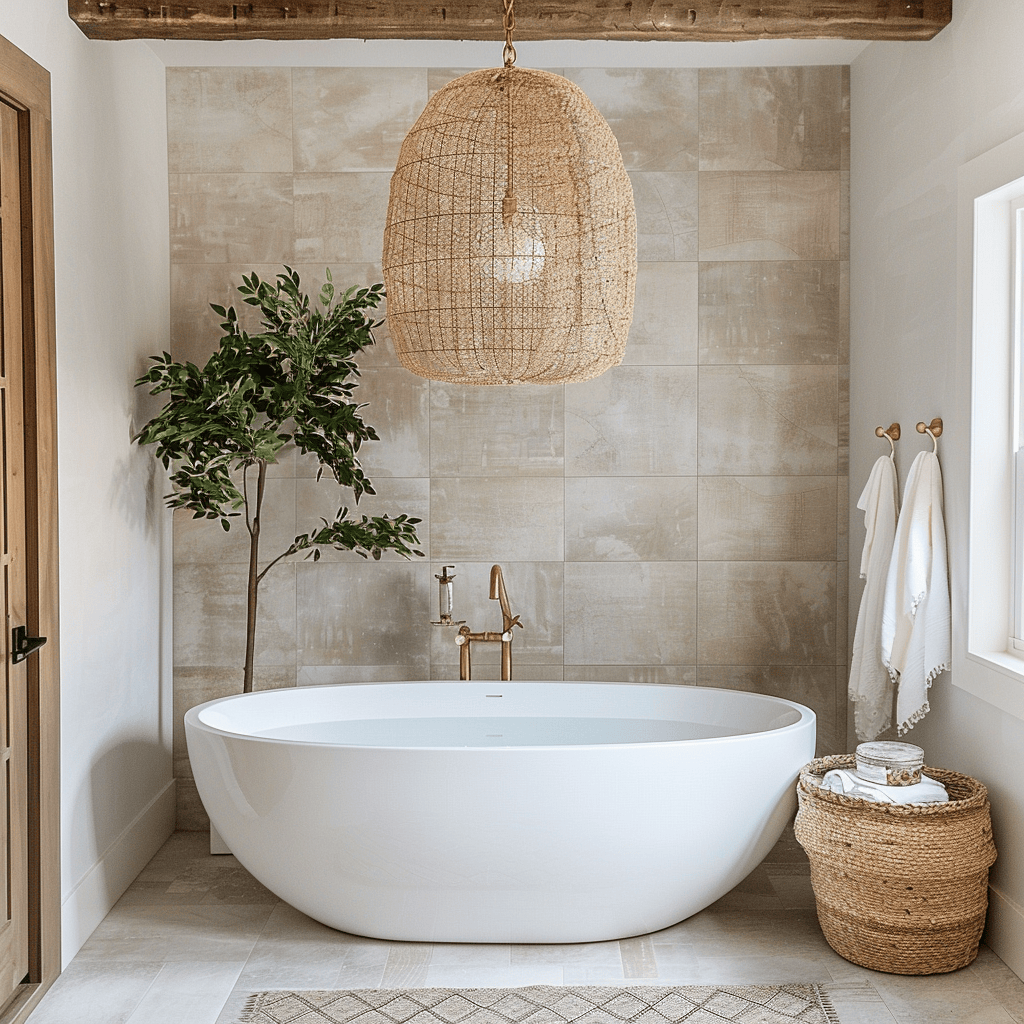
<point x="547" y="1005"/>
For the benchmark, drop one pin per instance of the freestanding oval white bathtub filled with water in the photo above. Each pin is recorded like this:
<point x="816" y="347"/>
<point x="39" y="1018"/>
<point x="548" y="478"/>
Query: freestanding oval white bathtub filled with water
<point x="499" y="813"/>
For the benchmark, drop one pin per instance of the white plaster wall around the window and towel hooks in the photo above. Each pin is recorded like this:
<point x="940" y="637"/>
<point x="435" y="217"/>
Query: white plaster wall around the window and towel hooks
<point x="920" y="112"/>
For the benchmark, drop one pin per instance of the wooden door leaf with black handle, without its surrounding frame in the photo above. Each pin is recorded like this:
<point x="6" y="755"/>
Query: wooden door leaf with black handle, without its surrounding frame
<point x="14" y="706"/>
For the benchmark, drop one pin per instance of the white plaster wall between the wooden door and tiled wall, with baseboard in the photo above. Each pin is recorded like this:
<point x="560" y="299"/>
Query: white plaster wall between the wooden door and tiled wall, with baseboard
<point x="110" y="168"/>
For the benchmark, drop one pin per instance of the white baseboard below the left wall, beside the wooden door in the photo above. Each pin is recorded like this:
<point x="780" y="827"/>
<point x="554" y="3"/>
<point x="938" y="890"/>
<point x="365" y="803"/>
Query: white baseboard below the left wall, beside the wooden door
<point x="94" y="898"/>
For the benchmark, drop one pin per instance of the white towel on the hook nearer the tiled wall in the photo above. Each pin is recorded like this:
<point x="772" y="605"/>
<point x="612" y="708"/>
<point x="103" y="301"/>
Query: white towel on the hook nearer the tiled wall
<point x="871" y="686"/>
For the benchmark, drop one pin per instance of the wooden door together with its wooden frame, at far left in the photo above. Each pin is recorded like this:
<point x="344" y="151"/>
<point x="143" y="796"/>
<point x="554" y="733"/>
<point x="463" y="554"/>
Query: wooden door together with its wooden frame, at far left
<point x="30" y="693"/>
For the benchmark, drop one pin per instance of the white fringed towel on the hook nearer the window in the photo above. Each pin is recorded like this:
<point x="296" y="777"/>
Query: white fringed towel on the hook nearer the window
<point x="916" y="645"/>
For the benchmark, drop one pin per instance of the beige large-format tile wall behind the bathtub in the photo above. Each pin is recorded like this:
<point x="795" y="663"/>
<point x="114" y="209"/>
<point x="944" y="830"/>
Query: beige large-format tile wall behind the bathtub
<point x="679" y="520"/>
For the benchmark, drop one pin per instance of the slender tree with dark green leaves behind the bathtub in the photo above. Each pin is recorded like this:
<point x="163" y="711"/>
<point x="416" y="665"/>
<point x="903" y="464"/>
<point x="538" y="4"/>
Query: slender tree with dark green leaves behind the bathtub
<point x="293" y="383"/>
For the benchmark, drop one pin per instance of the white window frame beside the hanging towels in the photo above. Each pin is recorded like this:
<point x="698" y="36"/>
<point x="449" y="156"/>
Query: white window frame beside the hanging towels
<point x="986" y="660"/>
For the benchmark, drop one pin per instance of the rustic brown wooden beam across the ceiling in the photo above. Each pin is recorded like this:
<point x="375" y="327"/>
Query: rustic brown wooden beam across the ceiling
<point x="635" y="20"/>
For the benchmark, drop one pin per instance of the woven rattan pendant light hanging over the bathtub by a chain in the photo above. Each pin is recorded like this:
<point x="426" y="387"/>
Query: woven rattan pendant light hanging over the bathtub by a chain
<point x="510" y="246"/>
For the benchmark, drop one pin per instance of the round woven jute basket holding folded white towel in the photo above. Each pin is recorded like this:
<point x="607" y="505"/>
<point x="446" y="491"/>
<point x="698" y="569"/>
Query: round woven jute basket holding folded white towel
<point x="900" y="888"/>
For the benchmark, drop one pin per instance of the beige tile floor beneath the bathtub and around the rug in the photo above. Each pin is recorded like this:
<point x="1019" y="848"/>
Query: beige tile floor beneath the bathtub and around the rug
<point x="194" y="935"/>
